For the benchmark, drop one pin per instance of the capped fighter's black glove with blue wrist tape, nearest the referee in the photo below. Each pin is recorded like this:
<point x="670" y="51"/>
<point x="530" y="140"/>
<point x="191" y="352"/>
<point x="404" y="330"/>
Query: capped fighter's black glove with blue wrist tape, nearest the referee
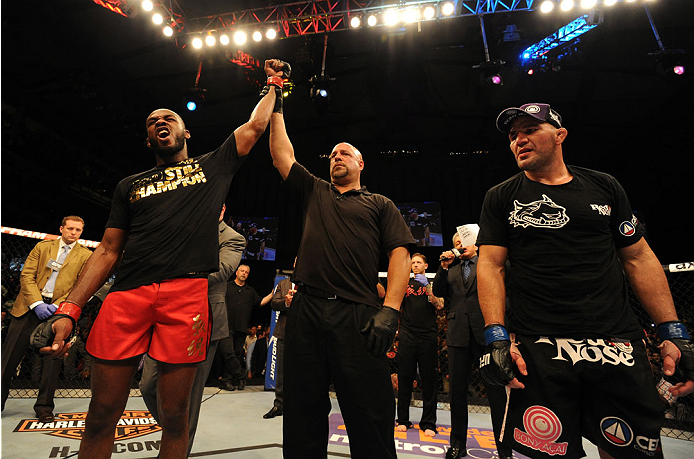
<point x="496" y="365"/>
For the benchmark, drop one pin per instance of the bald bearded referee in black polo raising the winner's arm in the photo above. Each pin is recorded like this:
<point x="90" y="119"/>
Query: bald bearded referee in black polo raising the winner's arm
<point x="335" y="327"/>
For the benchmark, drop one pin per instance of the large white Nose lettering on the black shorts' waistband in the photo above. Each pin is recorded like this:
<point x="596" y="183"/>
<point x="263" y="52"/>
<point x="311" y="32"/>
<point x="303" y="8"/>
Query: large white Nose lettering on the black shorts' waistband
<point x="614" y="352"/>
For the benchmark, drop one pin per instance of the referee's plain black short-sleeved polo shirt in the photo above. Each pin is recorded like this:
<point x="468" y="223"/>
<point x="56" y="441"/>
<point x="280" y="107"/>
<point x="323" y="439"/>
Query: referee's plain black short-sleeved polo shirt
<point x="344" y="236"/>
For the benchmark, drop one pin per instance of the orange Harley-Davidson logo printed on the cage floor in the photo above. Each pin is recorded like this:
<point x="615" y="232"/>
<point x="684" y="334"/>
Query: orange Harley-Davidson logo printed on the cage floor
<point x="132" y="424"/>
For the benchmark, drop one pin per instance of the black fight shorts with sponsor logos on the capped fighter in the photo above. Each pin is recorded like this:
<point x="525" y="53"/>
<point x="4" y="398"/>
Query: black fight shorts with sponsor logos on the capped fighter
<point x="600" y="389"/>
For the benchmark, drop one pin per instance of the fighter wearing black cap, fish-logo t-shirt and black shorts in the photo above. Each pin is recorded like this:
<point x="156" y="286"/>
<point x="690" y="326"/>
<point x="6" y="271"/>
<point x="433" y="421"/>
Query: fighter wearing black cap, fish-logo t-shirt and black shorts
<point x="578" y="362"/>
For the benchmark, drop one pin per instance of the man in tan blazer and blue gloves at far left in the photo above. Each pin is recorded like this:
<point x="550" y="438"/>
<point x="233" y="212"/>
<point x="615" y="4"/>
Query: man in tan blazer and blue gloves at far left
<point x="49" y="272"/>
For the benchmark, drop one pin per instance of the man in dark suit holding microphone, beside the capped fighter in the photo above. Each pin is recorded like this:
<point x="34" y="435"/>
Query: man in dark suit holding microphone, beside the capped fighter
<point x="456" y="281"/>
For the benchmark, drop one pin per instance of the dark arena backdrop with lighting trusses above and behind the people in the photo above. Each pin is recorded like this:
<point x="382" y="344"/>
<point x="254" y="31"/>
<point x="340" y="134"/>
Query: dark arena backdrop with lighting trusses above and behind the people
<point x="418" y="99"/>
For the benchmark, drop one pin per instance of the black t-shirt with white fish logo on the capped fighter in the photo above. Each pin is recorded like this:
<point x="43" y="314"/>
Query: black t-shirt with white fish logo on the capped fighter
<point x="565" y="278"/>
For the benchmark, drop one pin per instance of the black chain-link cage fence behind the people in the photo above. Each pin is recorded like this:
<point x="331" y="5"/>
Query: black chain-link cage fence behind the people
<point x="75" y="370"/>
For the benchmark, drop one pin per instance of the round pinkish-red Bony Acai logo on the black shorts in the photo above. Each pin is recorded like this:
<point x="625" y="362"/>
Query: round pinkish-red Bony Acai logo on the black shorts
<point x="542" y="429"/>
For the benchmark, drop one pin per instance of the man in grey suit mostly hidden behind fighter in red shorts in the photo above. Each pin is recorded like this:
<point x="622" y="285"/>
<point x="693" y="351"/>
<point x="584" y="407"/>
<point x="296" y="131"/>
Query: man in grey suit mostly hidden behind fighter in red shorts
<point x="231" y="246"/>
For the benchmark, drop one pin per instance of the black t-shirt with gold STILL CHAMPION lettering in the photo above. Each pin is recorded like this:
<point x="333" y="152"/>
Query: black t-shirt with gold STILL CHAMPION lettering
<point x="171" y="215"/>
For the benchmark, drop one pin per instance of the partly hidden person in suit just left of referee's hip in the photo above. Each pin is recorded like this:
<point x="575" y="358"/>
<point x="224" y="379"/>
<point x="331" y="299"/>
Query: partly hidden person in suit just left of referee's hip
<point x="281" y="300"/>
